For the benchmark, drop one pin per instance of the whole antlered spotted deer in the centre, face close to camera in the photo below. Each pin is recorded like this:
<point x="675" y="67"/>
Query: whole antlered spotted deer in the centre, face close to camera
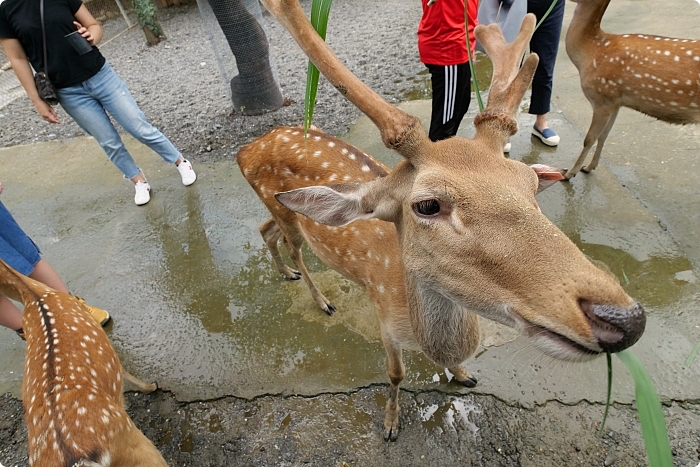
<point x="467" y="239"/>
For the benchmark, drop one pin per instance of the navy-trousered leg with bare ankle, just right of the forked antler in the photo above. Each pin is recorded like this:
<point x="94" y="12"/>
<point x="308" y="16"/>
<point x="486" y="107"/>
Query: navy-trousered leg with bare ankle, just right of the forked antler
<point x="545" y="43"/>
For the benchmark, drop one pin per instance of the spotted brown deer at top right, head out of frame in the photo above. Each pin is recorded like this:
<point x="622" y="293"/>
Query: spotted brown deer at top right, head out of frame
<point x="658" y="76"/>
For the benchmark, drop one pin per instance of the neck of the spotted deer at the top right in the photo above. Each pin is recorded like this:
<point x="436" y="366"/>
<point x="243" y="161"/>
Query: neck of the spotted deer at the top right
<point x="584" y="29"/>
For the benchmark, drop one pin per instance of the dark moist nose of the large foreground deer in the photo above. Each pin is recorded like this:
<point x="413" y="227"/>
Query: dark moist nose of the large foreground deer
<point x="615" y="328"/>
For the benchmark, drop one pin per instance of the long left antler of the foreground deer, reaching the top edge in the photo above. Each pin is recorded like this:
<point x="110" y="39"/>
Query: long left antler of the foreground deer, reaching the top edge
<point x="399" y="130"/>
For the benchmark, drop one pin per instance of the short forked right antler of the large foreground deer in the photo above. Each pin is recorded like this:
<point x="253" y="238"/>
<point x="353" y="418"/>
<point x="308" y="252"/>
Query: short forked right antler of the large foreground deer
<point x="509" y="81"/>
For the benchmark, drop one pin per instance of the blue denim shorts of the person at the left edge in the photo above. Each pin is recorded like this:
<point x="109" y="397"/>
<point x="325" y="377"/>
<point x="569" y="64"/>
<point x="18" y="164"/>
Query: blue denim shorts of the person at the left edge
<point x="16" y="248"/>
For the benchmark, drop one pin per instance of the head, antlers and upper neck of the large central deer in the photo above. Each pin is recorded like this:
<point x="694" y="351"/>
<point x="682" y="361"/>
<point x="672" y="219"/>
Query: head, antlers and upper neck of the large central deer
<point x="471" y="234"/>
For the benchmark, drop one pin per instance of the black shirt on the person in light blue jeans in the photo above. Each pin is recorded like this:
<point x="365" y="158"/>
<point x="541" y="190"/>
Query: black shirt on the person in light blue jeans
<point x="21" y="19"/>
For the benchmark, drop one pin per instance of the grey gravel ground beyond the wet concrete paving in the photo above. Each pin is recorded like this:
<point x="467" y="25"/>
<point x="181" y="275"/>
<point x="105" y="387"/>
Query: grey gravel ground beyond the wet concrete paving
<point x="179" y="85"/>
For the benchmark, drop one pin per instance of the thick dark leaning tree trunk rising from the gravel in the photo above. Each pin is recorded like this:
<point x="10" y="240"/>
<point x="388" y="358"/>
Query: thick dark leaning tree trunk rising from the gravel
<point x="254" y="90"/>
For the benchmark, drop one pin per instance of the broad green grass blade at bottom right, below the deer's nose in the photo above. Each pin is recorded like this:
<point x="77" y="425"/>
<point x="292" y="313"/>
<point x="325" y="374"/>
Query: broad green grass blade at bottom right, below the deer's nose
<point x="651" y="416"/>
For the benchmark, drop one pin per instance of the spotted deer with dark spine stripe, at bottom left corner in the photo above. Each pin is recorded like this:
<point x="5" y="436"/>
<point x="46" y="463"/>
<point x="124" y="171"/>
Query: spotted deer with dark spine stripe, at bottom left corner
<point x="72" y="384"/>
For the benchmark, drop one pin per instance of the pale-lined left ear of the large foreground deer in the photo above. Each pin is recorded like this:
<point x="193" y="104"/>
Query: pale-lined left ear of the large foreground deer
<point x="335" y="205"/>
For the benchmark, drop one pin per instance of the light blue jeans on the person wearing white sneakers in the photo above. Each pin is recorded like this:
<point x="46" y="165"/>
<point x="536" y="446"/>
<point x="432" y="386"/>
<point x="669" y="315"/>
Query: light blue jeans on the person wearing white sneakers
<point x="88" y="104"/>
